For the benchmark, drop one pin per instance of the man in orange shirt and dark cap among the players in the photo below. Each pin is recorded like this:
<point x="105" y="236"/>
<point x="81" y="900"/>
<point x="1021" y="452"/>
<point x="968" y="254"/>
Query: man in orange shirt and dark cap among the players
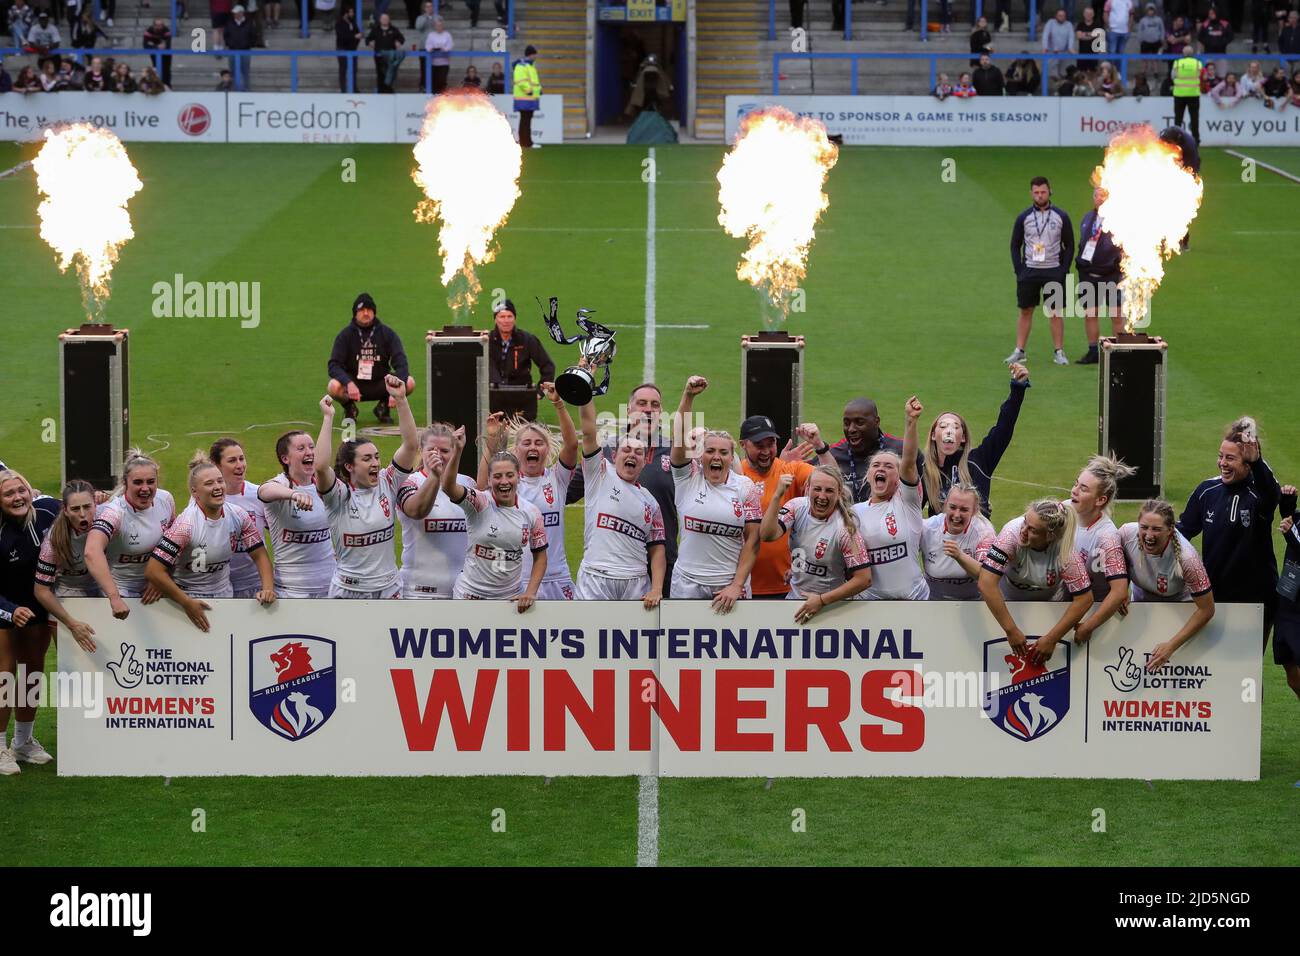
<point x="764" y="466"/>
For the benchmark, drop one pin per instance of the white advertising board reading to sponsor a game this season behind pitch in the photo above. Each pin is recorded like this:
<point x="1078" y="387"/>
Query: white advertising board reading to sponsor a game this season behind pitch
<point x="1020" y="120"/>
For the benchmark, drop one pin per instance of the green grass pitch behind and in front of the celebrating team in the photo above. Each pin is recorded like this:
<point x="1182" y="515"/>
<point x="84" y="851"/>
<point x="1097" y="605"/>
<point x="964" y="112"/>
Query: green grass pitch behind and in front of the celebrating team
<point x="909" y="291"/>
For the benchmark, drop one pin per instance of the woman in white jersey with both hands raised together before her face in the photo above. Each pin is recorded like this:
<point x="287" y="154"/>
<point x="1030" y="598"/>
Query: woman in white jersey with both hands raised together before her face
<point x="434" y="530"/>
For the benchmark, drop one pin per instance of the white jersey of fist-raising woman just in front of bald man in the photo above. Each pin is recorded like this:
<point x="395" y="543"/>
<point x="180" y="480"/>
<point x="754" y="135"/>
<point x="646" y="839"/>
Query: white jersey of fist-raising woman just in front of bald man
<point x="892" y="533"/>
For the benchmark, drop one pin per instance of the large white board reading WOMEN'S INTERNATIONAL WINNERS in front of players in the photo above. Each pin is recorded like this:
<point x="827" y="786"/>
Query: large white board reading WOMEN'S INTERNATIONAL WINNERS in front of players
<point x="609" y="689"/>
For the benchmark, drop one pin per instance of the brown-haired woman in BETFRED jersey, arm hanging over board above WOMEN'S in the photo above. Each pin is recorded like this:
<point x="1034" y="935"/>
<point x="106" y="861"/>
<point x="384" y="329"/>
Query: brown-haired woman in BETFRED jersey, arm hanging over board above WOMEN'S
<point x="501" y="527"/>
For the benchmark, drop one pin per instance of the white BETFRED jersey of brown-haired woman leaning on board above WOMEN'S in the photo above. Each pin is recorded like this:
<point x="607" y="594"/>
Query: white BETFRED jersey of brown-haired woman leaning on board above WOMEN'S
<point x="499" y="538"/>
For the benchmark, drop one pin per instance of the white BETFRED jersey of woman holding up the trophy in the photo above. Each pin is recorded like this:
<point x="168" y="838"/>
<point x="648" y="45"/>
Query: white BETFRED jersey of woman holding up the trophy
<point x="621" y="522"/>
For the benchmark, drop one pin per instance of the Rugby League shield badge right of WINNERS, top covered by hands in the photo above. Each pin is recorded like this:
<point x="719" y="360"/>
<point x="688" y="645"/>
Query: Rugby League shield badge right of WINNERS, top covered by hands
<point x="1029" y="699"/>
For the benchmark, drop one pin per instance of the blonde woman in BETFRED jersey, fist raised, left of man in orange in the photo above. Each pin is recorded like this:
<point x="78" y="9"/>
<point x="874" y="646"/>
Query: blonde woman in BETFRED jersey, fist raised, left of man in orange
<point x="718" y="513"/>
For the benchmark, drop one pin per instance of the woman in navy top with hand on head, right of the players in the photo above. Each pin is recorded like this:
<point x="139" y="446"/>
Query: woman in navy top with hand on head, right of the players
<point x="1234" y="514"/>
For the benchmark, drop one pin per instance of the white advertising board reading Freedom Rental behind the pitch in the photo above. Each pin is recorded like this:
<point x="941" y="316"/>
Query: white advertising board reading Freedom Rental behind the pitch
<point x="250" y="118"/>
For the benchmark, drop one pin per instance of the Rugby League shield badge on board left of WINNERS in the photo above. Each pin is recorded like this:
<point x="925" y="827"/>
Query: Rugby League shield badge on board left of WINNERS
<point x="293" y="684"/>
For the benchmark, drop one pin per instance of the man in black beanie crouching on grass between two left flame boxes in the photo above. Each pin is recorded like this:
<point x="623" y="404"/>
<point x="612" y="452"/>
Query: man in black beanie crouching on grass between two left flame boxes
<point x="365" y="353"/>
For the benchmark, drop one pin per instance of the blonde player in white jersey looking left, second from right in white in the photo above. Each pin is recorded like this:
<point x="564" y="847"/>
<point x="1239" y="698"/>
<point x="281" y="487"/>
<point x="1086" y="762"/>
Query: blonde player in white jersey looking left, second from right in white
<point x="1098" y="540"/>
